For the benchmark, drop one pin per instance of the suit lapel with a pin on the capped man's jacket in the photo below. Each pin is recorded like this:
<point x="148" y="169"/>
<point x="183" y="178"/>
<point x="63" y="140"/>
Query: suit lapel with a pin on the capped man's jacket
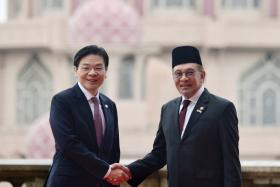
<point x="198" y="110"/>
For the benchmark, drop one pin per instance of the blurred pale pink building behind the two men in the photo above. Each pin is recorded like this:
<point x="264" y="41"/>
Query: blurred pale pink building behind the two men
<point x="239" y="42"/>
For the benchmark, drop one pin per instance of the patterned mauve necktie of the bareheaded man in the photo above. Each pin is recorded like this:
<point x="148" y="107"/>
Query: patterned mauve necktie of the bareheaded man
<point x="97" y="121"/>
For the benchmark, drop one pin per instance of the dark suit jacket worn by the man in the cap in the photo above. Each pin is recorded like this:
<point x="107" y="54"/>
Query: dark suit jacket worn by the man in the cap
<point x="206" y="156"/>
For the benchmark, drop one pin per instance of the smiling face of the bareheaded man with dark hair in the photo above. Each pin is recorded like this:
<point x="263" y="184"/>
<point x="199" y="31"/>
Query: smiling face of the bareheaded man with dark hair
<point x="91" y="72"/>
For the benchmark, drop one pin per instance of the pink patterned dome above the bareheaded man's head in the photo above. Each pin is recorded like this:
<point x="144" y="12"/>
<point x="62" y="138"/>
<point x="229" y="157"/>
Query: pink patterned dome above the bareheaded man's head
<point x="109" y="21"/>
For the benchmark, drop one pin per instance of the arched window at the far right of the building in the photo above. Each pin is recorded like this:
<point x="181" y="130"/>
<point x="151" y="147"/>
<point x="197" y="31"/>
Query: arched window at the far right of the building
<point x="260" y="93"/>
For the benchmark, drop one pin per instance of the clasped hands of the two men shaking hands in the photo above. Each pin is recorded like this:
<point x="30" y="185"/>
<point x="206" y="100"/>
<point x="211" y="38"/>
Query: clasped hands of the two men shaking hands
<point x="119" y="174"/>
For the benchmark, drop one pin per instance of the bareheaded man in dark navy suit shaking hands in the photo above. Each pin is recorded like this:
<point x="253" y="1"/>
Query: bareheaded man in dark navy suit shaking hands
<point x="84" y="123"/>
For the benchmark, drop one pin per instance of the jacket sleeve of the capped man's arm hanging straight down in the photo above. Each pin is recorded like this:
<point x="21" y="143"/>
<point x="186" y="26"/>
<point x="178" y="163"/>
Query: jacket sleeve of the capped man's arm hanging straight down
<point x="229" y="140"/>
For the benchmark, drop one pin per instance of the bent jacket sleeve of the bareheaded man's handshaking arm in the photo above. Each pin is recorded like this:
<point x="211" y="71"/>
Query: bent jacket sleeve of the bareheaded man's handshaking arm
<point x="67" y="141"/>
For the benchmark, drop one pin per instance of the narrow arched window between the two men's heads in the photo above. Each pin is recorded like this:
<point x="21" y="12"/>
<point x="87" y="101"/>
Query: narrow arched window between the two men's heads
<point x="126" y="77"/>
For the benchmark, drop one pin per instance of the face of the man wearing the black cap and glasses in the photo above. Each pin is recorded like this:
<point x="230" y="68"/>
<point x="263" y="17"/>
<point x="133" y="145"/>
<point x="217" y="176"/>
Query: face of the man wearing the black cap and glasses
<point x="188" y="78"/>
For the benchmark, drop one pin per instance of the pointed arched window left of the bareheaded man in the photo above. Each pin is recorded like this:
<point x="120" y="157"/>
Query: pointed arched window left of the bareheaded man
<point x="34" y="85"/>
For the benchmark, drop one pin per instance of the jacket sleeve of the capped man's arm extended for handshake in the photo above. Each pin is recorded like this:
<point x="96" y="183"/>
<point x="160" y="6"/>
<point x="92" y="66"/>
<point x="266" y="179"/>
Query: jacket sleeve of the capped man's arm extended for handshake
<point x="153" y="161"/>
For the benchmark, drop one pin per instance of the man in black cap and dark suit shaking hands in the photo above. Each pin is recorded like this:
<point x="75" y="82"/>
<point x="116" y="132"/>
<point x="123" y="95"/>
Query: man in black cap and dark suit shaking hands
<point x="198" y="133"/>
